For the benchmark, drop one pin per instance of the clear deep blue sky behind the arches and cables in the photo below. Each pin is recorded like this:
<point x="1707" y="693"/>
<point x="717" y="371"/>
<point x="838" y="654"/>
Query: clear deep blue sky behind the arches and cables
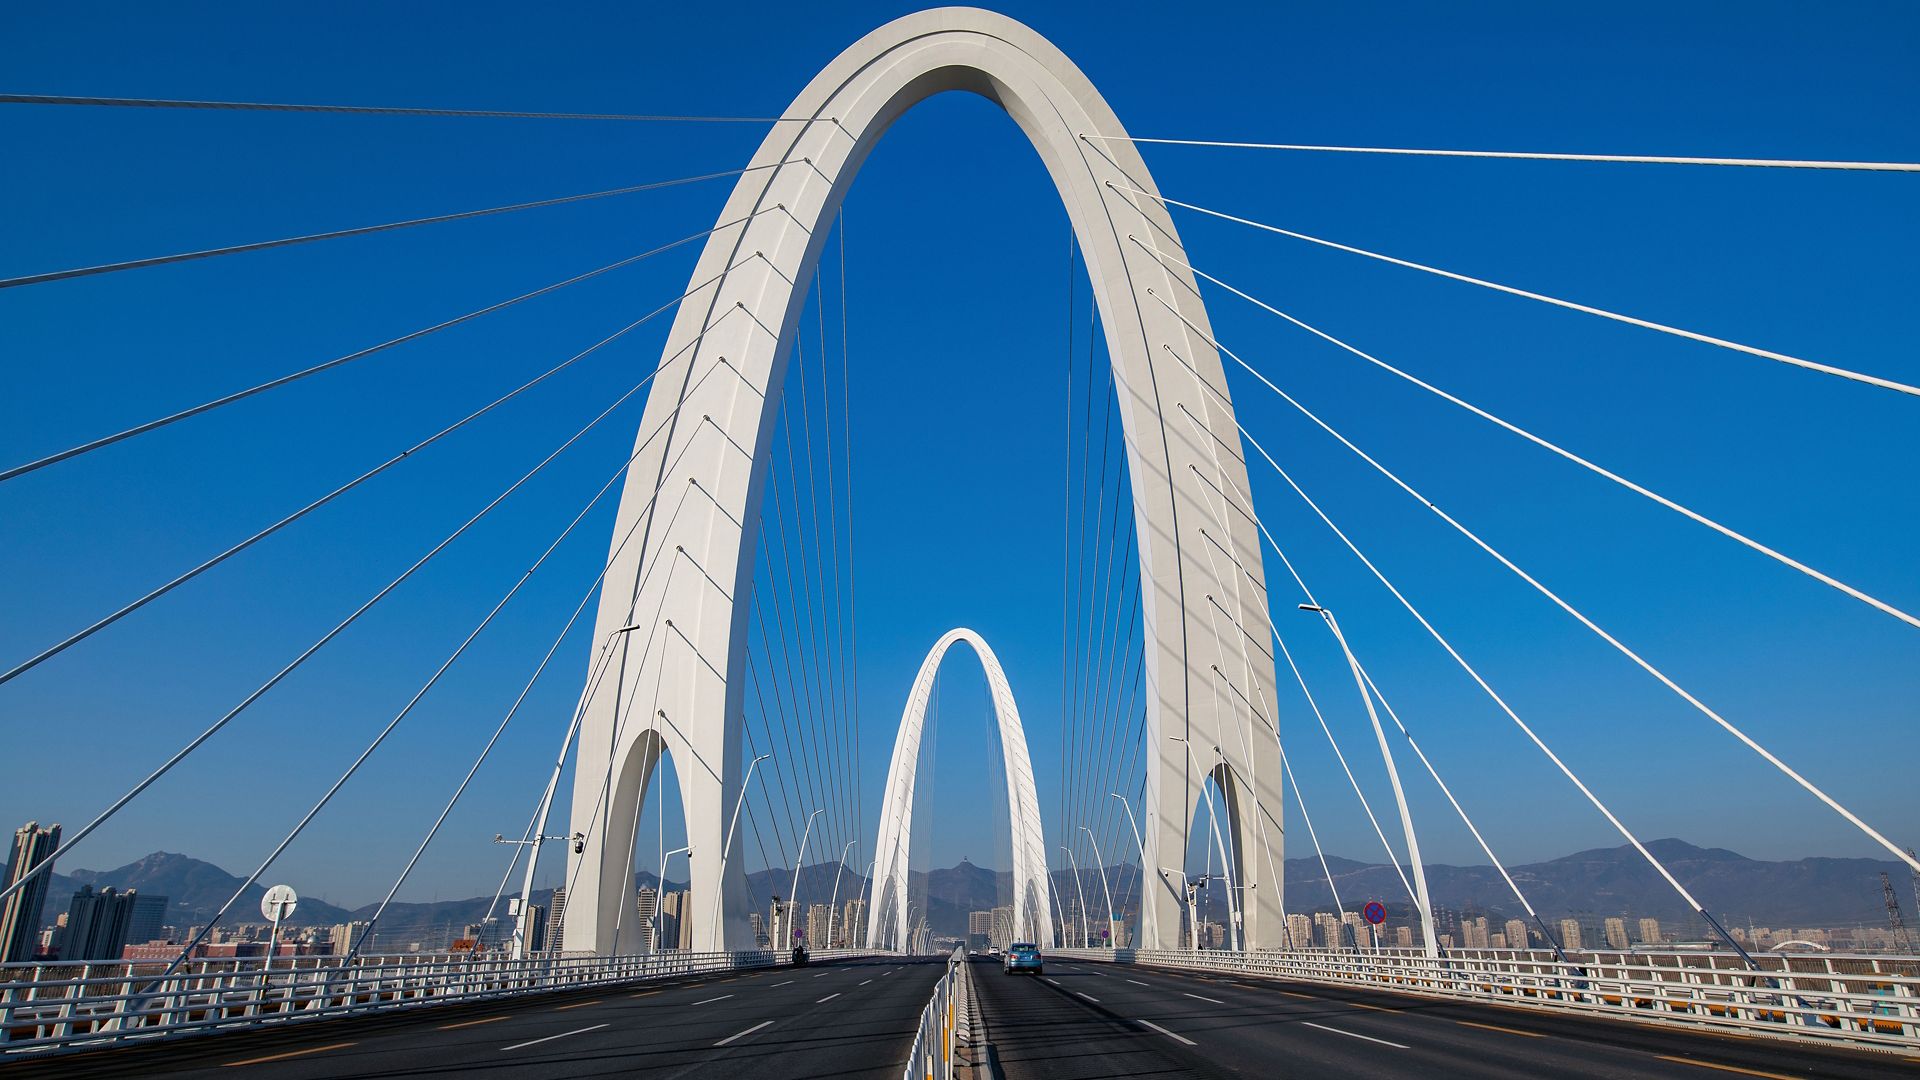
<point x="957" y="299"/>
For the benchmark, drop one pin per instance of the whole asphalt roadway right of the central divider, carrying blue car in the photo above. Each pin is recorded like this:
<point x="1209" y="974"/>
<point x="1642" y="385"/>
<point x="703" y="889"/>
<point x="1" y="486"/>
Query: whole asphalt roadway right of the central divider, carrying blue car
<point x="1097" y="1019"/>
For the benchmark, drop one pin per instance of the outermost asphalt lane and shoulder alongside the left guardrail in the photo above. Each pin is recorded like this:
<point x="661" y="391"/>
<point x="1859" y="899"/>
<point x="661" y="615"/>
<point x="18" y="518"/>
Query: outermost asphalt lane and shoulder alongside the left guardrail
<point x="468" y="1037"/>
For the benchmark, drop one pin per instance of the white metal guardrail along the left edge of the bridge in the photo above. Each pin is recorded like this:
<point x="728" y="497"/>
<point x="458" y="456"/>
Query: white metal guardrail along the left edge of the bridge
<point x="51" y="1008"/>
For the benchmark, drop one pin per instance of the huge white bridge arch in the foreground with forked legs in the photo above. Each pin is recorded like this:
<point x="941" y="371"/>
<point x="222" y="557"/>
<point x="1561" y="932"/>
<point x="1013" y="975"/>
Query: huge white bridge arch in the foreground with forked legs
<point x="686" y="533"/>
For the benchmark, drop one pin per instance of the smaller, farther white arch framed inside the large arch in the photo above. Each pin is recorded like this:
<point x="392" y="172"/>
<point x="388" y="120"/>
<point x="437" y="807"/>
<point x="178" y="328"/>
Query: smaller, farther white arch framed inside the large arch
<point x="1032" y="902"/>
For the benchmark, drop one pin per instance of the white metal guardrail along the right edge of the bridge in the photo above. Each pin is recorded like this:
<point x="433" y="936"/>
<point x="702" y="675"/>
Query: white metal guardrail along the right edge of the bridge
<point x="1860" y="1000"/>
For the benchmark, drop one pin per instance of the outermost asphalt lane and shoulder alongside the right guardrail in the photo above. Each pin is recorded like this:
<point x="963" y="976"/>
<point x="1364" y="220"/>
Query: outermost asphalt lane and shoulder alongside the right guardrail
<point x="1596" y="1044"/>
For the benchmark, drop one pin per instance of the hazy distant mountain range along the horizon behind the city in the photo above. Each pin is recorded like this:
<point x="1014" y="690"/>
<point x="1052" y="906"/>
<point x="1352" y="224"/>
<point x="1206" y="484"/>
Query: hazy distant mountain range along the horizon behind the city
<point x="1606" y="881"/>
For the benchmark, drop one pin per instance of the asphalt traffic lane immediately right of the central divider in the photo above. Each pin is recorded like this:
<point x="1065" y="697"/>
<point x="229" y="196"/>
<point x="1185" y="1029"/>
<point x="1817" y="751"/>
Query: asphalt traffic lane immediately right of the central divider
<point x="1044" y="1033"/>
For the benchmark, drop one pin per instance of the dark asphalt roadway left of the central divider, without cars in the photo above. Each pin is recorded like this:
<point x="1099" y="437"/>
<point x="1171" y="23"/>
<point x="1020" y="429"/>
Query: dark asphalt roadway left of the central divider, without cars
<point x="852" y="1019"/>
